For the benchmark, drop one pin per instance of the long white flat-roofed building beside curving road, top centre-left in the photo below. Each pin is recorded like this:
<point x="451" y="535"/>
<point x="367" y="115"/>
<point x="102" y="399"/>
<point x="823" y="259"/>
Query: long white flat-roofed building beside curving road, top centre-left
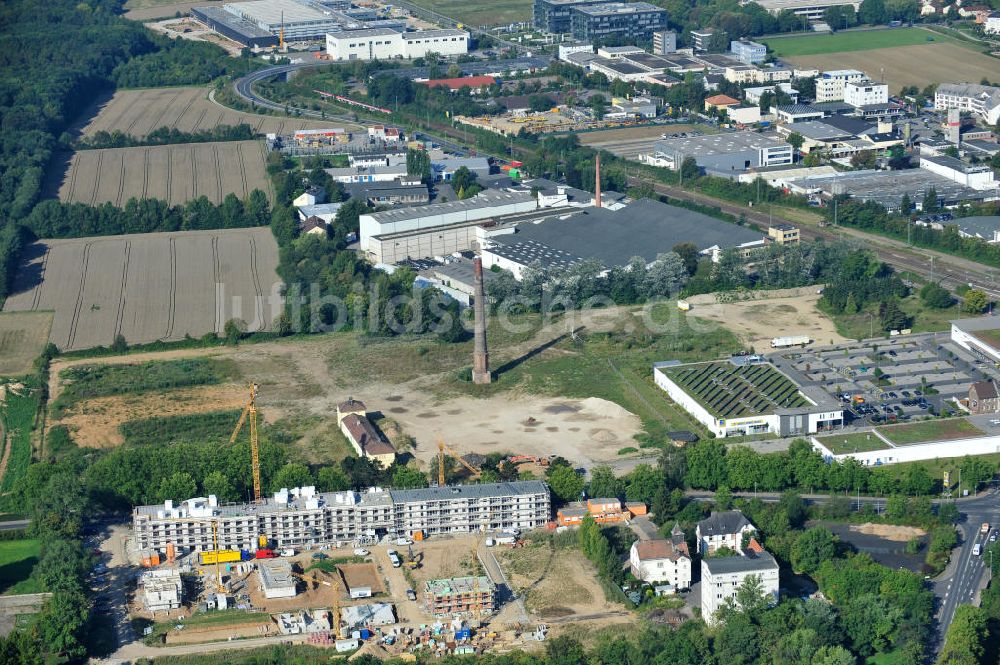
<point x="385" y="43"/>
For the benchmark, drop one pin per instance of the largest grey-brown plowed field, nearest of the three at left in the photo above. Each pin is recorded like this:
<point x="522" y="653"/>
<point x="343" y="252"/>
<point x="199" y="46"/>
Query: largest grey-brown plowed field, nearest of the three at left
<point x="149" y="287"/>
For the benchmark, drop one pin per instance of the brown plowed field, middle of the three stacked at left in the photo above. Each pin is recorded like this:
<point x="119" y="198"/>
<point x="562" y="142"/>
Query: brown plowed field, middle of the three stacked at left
<point x="175" y="173"/>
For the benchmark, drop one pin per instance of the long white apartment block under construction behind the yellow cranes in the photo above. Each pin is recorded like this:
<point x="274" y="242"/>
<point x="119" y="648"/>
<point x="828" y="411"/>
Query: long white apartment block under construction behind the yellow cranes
<point x="302" y="517"/>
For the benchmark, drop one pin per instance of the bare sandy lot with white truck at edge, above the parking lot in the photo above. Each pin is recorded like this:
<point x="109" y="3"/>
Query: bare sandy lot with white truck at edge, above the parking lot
<point x="756" y="322"/>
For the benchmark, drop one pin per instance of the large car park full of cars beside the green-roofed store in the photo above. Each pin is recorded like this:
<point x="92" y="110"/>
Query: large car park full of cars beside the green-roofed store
<point x="891" y="380"/>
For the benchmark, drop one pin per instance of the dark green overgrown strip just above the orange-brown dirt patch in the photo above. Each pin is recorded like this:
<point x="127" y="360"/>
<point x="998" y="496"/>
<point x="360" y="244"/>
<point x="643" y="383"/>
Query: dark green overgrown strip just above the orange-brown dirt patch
<point x="90" y="381"/>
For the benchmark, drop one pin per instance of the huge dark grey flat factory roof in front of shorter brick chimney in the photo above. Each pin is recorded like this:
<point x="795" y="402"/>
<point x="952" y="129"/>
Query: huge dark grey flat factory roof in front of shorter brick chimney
<point x="645" y="228"/>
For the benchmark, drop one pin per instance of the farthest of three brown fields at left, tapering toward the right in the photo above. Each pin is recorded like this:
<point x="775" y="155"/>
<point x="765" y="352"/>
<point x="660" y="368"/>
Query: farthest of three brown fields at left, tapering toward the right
<point x="187" y="109"/>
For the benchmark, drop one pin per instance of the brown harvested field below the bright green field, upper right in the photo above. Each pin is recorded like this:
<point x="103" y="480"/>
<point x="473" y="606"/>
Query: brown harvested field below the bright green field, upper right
<point x="934" y="62"/>
